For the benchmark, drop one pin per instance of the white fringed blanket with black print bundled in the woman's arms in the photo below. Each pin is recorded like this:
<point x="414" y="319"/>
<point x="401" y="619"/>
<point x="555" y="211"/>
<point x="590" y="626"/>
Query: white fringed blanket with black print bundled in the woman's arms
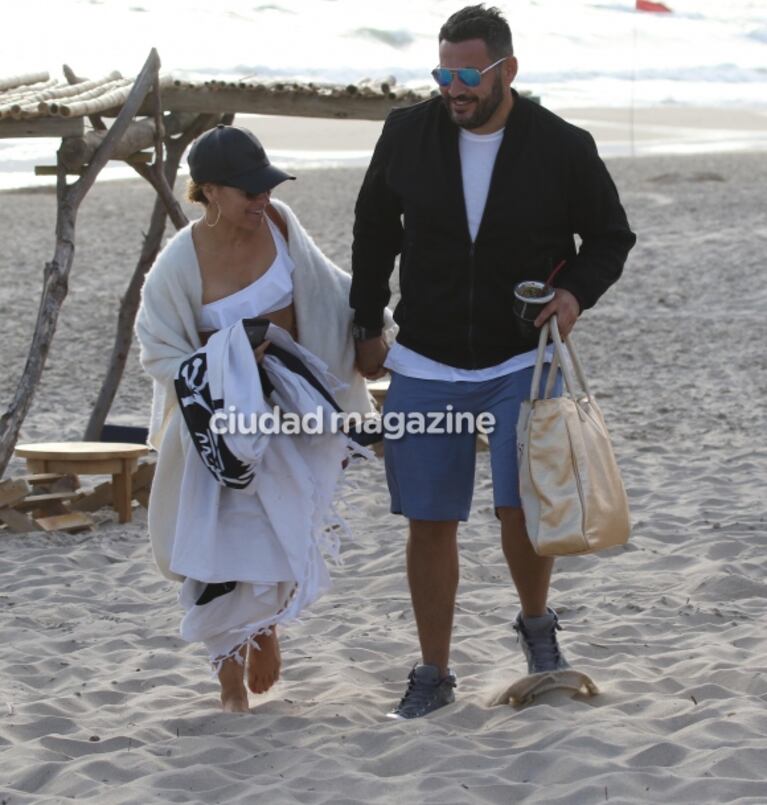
<point x="269" y="535"/>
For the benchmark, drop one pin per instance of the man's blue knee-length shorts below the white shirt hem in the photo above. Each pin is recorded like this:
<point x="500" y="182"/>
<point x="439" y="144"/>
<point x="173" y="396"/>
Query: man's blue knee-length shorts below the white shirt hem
<point x="431" y="475"/>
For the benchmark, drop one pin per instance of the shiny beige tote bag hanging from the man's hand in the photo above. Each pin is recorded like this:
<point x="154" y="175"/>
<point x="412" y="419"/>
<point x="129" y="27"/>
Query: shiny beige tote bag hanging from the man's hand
<point x="571" y="489"/>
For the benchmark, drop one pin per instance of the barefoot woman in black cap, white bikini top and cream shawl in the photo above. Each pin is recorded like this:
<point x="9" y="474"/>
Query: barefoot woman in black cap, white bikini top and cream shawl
<point x="247" y="256"/>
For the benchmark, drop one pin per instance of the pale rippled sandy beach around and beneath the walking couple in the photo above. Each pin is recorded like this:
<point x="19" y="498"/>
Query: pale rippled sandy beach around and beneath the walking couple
<point x="101" y="701"/>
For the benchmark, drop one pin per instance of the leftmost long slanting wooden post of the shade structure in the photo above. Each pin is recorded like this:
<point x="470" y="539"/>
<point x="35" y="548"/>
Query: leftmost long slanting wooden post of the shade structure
<point x="56" y="275"/>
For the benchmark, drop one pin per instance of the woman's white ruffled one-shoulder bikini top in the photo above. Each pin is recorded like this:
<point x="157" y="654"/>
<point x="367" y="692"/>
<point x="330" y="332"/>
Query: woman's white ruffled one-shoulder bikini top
<point x="273" y="290"/>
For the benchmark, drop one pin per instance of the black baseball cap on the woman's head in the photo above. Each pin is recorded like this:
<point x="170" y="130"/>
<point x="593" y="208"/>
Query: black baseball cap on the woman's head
<point x="234" y="157"/>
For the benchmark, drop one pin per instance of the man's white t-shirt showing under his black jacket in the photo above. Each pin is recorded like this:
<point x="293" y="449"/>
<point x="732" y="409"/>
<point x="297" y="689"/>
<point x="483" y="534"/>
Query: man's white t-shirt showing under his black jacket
<point x="478" y="153"/>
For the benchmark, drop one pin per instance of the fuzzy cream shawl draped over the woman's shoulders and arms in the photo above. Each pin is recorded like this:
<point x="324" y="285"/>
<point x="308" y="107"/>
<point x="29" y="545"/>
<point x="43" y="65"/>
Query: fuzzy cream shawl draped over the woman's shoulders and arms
<point x="167" y="331"/>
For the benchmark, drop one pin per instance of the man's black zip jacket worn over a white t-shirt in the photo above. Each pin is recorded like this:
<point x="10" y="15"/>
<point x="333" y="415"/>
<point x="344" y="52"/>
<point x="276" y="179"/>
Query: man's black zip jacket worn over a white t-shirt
<point x="548" y="185"/>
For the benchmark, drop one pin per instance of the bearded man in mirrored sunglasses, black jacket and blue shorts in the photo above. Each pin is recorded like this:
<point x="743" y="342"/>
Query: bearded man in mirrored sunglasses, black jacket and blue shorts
<point x="476" y="190"/>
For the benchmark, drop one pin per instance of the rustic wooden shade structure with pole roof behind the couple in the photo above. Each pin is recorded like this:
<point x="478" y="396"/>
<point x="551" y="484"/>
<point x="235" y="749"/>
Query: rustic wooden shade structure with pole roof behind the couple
<point x="149" y="112"/>
